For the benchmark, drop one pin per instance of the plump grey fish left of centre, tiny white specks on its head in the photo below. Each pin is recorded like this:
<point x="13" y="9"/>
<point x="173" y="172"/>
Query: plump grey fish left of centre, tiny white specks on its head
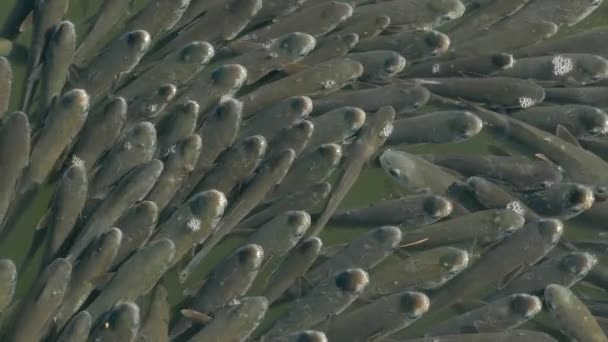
<point x="135" y="148"/>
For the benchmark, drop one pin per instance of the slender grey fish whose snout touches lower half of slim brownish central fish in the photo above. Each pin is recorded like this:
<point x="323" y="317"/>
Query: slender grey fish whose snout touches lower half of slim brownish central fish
<point x="303" y="200"/>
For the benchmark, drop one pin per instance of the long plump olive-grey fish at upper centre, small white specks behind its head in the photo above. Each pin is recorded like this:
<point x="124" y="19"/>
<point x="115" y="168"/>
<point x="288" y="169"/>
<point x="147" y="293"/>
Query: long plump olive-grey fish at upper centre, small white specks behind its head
<point x="319" y="79"/>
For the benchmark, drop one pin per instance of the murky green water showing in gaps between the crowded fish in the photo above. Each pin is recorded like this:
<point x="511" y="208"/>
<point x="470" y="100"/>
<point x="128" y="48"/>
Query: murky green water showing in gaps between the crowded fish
<point x="373" y="184"/>
